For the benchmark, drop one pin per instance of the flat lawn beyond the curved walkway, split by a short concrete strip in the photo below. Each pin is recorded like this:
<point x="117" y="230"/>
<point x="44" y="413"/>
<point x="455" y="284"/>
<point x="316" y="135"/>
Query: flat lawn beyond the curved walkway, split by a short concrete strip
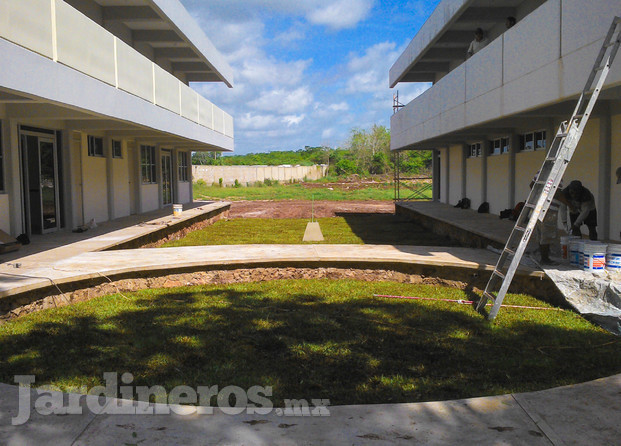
<point x="350" y="229"/>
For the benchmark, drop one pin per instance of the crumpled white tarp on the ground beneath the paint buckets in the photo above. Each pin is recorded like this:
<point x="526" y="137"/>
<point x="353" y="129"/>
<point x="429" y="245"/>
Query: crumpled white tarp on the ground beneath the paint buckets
<point x="595" y="296"/>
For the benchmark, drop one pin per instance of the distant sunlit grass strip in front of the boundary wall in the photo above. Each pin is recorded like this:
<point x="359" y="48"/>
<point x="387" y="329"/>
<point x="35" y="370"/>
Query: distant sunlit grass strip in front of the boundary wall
<point x="291" y="192"/>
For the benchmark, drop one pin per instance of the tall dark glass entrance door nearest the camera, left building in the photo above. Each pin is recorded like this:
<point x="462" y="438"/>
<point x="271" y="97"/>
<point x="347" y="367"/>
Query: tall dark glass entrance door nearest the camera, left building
<point x="40" y="182"/>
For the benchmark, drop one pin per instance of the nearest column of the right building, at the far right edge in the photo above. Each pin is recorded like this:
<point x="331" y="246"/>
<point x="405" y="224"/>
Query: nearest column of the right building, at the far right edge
<point x="605" y="175"/>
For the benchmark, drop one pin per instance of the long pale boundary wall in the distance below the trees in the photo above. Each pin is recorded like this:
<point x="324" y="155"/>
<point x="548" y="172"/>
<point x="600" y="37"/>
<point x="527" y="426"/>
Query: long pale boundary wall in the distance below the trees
<point x="248" y="175"/>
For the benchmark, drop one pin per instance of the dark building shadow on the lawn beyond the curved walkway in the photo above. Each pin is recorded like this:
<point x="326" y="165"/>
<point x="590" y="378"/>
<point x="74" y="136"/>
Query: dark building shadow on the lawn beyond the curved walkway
<point x="391" y="229"/>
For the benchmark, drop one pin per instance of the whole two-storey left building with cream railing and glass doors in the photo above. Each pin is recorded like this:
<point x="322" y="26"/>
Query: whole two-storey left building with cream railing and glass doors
<point x="97" y="119"/>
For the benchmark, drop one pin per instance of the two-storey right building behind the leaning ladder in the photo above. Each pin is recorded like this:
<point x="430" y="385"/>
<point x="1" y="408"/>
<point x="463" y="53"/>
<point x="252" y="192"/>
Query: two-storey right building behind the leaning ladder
<point x="491" y="118"/>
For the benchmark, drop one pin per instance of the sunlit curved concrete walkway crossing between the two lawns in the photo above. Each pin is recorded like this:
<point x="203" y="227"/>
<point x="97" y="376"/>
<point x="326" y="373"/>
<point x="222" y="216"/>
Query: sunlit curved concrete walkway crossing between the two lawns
<point x="88" y="265"/>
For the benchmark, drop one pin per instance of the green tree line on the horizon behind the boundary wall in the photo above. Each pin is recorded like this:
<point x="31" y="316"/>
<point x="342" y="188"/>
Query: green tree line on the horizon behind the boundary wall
<point x="366" y="152"/>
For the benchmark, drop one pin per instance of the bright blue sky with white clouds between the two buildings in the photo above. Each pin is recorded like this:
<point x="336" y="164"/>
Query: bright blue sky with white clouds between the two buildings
<point x="307" y="71"/>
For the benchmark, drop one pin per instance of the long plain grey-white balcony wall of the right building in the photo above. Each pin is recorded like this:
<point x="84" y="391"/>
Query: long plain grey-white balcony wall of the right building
<point x="543" y="60"/>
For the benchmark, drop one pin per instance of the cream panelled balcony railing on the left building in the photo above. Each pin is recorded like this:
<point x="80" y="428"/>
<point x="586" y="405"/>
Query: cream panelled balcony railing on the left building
<point x="54" y="29"/>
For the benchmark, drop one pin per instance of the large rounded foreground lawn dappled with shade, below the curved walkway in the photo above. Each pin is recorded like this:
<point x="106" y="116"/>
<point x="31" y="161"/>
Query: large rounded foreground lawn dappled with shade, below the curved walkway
<point x="309" y="339"/>
